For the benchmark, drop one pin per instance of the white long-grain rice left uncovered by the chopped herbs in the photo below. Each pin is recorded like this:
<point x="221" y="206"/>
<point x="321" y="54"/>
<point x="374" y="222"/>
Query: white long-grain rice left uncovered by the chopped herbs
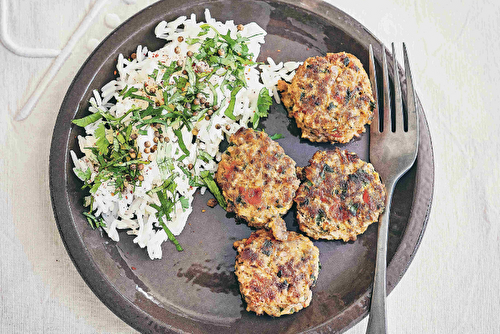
<point x="132" y="210"/>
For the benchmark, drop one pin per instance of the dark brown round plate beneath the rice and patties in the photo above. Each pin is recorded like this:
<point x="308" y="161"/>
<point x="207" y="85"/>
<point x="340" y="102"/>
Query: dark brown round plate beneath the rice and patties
<point x="196" y="290"/>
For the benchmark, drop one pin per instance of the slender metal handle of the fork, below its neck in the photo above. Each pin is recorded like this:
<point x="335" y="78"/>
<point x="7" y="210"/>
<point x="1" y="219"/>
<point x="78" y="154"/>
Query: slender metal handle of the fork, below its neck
<point x="377" y="323"/>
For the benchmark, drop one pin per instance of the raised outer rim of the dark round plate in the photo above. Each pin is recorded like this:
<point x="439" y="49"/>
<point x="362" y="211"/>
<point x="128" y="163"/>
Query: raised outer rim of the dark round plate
<point x="81" y="257"/>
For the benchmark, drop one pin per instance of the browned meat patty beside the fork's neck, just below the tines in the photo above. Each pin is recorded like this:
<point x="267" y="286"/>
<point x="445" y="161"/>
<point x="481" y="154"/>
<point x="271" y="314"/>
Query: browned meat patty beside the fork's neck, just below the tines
<point x="340" y="197"/>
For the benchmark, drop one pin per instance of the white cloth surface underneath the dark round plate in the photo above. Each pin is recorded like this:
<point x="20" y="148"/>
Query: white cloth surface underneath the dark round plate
<point x="452" y="286"/>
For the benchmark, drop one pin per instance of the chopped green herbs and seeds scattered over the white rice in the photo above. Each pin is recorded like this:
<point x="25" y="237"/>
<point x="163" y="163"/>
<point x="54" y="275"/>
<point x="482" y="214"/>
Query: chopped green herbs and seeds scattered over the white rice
<point x="180" y="94"/>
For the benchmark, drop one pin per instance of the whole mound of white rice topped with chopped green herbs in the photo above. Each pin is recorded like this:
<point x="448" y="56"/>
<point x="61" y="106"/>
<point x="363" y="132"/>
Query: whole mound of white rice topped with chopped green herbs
<point x="153" y="134"/>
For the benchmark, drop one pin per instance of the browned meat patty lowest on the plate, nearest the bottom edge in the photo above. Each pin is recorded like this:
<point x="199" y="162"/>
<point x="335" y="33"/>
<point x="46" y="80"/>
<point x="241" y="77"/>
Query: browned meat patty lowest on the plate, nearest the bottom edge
<point x="276" y="277"/>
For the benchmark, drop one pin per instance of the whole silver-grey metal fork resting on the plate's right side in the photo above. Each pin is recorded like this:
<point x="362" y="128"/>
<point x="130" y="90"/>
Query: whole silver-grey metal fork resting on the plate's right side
<point x="393" y="150"/>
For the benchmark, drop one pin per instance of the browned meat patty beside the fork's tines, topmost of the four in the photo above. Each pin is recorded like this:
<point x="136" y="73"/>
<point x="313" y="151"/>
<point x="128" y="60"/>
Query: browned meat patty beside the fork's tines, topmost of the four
<point x="330" y="98"/>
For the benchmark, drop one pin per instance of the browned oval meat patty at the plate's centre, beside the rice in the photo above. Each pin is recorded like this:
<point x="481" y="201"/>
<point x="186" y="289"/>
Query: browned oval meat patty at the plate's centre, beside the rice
<point x="258" y="180"/>
